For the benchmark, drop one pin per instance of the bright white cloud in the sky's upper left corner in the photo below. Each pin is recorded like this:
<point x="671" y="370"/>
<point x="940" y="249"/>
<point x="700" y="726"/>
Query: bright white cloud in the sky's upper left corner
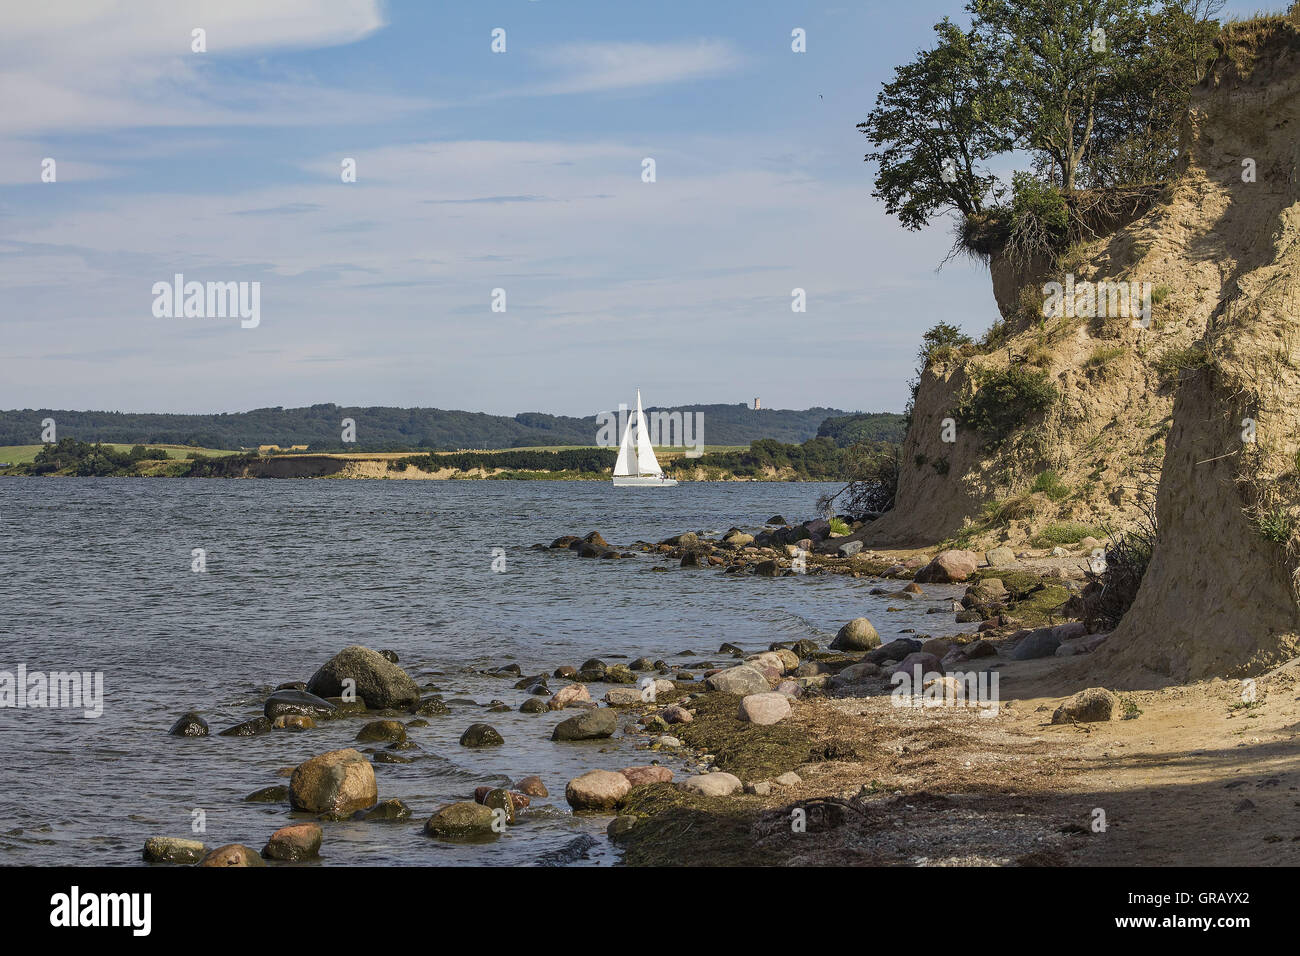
<point x="111" y="64"/>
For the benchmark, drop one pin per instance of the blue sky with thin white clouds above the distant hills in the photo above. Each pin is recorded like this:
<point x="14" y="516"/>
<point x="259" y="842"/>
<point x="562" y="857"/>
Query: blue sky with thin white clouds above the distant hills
<point x="476" y="171"/>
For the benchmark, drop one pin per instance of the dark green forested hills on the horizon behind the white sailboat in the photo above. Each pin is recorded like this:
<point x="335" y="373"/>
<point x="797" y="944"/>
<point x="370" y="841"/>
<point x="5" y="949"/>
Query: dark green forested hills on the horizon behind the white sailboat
<point x="384" y="429"/>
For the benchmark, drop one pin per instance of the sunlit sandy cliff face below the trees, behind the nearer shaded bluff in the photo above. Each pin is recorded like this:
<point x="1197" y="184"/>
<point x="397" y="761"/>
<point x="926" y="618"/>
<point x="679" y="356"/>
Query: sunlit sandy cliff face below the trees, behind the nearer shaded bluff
<point x="1202" y="248"/>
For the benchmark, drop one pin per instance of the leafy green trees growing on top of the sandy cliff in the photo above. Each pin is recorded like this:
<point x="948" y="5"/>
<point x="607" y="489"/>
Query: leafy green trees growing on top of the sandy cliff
<point x="1093" y="90"/>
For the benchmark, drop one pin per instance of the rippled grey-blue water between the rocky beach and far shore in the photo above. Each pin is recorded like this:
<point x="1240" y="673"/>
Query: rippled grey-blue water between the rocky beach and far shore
<point x="96" y="577"/>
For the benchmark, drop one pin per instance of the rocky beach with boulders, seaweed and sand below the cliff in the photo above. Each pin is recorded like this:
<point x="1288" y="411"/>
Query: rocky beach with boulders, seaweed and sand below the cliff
<point x="794" y="752"/>
